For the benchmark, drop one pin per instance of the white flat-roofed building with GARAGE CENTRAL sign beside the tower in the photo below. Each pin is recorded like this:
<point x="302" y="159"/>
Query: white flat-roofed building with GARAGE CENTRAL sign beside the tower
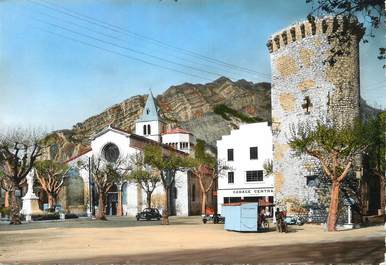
<point x="245" y="151"/>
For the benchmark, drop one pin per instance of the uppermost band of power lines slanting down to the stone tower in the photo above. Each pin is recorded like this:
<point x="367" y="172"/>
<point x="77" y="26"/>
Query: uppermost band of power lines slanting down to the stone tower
<point x="118" y="29"/>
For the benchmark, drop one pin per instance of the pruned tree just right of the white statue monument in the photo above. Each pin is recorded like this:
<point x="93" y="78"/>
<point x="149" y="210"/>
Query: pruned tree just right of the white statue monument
<point x="51" y="176"/>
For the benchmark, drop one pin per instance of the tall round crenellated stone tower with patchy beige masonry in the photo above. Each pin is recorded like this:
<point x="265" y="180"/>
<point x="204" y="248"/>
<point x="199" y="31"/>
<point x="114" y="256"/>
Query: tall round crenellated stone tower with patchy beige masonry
<point x="306" y="88"/>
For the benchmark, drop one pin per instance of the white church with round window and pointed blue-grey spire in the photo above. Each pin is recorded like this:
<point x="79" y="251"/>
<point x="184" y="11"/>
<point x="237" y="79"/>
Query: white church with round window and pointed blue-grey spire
<point x="128" y="198"/>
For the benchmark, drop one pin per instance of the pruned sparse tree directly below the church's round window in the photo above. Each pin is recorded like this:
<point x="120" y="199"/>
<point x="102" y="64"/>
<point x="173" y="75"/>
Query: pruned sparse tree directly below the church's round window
<point x="104" y="175"/>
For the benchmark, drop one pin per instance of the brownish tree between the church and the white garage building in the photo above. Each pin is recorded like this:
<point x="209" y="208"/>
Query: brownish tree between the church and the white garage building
<point x="207" y="170"/>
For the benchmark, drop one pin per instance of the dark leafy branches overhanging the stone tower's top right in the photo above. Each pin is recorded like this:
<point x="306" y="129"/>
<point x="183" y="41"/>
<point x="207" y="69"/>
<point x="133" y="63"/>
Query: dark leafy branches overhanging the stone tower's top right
<point x="371" y="12"/>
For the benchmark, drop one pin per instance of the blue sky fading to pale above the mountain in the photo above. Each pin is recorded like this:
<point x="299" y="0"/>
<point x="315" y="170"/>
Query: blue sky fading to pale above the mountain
<point x="64" y="61"/>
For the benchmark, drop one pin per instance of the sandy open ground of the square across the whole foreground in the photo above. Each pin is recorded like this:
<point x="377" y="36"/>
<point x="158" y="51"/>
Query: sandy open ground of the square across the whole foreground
<point x="186" y="240"/>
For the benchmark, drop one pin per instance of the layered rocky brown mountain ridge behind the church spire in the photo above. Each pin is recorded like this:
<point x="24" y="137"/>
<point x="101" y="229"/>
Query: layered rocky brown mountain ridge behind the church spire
<point x="207" y="110"/>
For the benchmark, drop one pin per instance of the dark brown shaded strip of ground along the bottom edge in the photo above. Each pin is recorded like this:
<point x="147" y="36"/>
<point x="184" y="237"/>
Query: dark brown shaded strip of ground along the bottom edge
<point x="370" y="251"/>
